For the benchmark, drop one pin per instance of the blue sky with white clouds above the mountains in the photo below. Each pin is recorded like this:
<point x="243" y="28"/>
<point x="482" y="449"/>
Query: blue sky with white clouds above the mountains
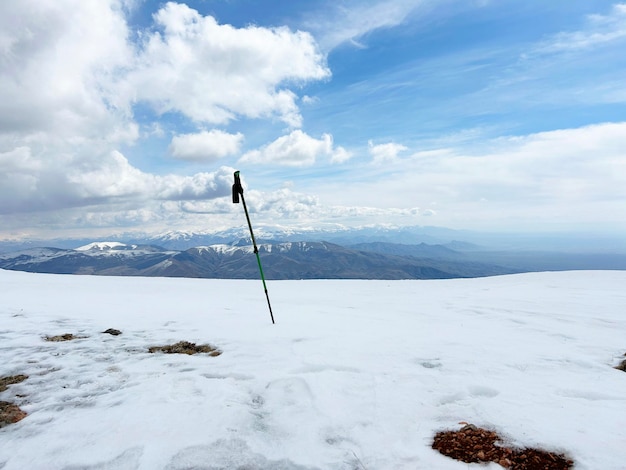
<point x="120" y="116"/>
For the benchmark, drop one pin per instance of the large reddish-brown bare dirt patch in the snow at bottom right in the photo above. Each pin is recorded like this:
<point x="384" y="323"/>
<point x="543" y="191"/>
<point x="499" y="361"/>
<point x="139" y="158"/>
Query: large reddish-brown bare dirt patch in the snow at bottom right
<point x="473" y="445"/>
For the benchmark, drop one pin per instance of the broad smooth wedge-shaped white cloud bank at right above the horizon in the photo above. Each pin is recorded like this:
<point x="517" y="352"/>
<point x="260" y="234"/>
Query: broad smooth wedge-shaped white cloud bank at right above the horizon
<point x="569" y="176"/>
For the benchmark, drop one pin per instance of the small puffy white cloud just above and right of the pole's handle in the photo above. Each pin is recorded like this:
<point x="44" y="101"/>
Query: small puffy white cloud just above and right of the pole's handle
<point x="297" y="149"/>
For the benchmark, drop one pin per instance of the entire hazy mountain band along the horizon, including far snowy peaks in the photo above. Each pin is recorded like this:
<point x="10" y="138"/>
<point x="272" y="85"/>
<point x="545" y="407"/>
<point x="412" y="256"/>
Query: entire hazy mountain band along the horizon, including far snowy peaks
<point x="317" y="253"/>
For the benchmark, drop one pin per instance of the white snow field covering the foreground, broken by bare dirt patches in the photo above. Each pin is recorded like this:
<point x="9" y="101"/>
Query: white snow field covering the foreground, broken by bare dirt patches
<point x="354" y="375"/>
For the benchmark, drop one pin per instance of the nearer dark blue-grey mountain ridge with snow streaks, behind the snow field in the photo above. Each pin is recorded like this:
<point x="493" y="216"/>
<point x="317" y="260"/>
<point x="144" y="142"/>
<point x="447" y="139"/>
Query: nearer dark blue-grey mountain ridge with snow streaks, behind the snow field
<point x="287" y="260"/>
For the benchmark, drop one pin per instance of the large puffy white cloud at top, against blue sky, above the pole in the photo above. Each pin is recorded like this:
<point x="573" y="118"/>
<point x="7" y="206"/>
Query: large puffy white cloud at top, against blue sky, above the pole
<point x="213" y="73"/>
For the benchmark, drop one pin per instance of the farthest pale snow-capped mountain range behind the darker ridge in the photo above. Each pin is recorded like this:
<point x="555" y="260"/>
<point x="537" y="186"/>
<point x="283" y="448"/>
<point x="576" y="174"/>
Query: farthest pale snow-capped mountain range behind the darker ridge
<point x="457" y="240"/>
